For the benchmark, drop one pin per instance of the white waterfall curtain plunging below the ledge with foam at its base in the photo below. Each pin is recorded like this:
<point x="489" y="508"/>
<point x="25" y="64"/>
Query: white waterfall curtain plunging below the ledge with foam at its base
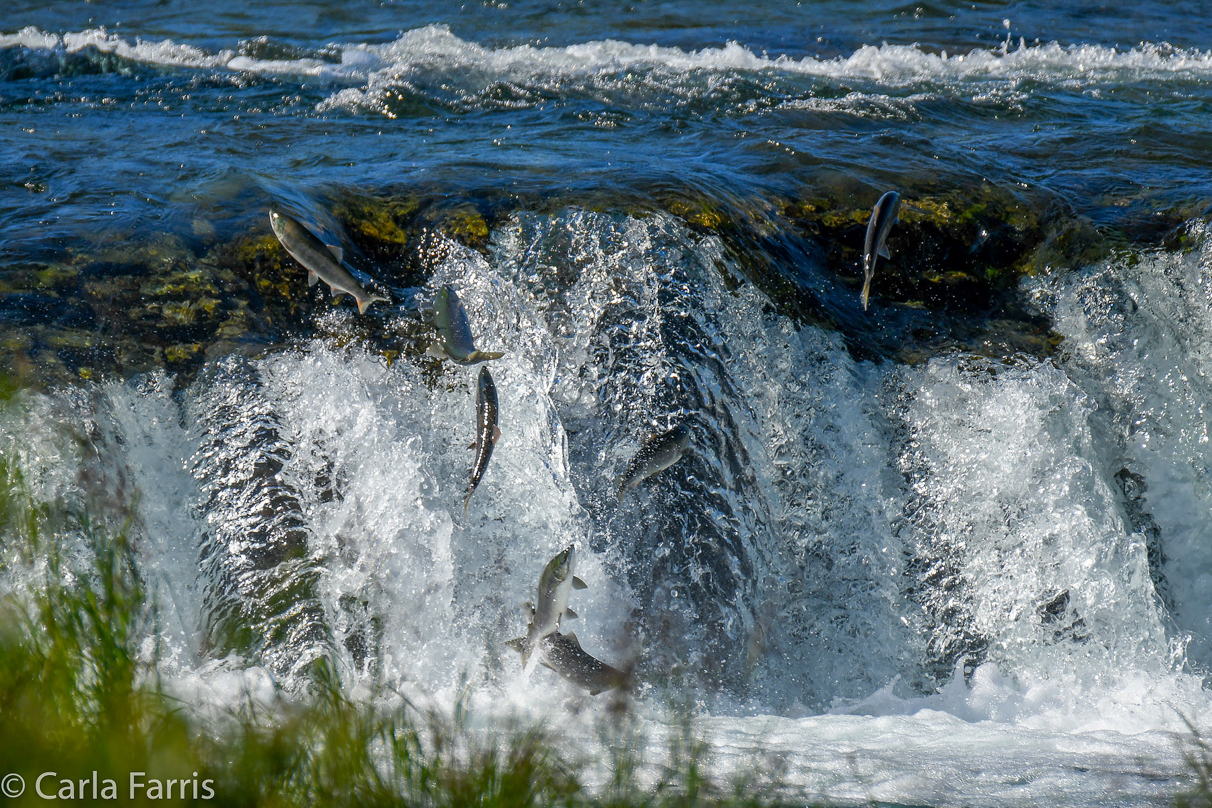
<point x="913" y="584"/>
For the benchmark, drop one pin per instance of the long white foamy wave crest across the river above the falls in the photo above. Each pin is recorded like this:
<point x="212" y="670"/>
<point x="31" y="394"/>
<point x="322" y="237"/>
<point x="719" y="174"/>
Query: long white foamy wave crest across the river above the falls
<point x="432" y="61"/>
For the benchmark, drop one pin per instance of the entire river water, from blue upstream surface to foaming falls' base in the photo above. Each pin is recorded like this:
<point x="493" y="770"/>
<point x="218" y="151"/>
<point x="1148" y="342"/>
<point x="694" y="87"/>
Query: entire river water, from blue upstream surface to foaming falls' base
<point x="952" y="551"/>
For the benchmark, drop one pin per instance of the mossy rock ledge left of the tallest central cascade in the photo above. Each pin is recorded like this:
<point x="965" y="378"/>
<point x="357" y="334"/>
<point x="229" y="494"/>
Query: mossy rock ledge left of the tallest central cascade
<point x="94" y="312"/>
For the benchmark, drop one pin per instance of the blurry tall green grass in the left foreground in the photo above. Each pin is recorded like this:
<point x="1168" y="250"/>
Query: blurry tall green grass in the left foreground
<point x="81" y="692"/>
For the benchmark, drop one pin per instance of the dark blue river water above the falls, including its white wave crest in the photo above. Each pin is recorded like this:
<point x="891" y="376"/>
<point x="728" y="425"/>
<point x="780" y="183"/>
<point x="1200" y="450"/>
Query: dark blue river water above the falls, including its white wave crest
<point x="1102" y="108"/>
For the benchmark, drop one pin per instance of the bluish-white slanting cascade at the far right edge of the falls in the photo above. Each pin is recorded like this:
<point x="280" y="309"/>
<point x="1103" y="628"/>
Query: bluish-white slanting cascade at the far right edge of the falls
<point x="1139" y="331"/>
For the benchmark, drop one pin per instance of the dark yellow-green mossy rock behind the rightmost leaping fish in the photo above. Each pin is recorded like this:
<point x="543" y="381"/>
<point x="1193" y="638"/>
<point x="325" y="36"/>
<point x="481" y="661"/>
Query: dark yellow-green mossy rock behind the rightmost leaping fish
<point x="958" y="256"/>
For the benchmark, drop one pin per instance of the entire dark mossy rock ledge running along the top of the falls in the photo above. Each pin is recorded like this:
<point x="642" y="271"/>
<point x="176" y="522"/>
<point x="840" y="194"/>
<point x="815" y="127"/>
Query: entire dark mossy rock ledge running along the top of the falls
<point x="175" y="301"/>
